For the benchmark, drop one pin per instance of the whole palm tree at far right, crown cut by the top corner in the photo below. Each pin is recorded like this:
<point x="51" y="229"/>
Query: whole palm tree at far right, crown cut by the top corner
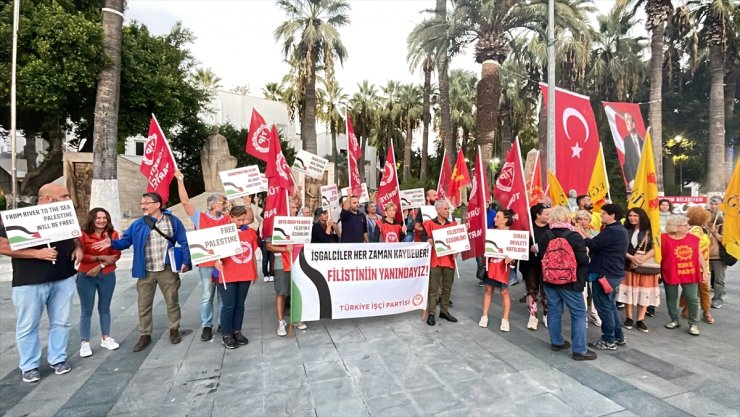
<point x="717" y="17"/>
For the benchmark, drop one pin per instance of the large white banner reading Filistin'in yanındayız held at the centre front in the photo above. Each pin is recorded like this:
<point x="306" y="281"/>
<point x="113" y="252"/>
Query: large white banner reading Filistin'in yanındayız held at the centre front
<point x="348" y="280"/>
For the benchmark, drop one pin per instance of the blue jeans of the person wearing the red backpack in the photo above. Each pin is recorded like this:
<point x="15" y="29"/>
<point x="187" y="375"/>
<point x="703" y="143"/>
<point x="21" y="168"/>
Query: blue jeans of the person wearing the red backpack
<point x="556" y="300"/>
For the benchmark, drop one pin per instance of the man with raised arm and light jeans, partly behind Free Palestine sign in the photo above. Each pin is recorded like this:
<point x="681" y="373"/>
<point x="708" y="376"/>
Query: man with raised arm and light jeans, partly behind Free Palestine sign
<point x="217" y="215"/>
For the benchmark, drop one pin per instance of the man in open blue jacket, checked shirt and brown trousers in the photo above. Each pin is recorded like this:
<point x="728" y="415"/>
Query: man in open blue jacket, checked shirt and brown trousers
<point x="152" y="236"/>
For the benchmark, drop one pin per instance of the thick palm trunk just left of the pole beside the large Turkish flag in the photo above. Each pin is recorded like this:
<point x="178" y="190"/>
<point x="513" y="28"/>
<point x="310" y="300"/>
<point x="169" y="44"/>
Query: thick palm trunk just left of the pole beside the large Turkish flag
<point x="487" y="103"/>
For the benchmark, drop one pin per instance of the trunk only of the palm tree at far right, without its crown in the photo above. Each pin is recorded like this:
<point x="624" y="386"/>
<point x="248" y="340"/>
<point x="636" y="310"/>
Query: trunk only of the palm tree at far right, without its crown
<point x="716" y="171"/>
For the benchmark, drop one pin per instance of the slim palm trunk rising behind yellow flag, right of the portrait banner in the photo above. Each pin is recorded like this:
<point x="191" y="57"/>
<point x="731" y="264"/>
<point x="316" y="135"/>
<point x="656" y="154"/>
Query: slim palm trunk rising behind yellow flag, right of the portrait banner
<point x="656" y="97"/>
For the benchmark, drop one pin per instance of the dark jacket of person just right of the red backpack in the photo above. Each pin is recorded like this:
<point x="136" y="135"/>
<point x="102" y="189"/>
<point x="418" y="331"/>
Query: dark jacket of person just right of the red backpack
<point x="608" y="250"/>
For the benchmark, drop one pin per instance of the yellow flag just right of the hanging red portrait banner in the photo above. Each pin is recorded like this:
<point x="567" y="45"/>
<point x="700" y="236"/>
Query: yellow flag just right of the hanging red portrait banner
<point x="645" y="192"/>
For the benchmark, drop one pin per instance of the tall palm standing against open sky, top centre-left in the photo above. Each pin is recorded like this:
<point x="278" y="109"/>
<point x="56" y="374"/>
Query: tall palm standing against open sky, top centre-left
<point x="308" y="35"/>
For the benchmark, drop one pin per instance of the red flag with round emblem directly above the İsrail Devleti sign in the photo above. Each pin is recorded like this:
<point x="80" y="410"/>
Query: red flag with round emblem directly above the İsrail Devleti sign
<point x="510" y="189"/>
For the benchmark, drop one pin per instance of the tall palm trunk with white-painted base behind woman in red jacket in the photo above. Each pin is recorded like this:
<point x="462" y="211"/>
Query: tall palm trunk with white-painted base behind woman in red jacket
<point x="104" y="189"/>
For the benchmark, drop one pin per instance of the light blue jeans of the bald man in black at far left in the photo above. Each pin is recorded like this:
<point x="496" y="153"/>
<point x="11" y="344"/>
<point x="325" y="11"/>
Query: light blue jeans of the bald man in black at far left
<point x="29" y="302"/>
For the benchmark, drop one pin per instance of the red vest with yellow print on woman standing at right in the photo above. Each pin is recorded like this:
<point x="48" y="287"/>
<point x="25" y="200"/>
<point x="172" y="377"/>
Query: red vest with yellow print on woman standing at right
<point x="680" y="263"/>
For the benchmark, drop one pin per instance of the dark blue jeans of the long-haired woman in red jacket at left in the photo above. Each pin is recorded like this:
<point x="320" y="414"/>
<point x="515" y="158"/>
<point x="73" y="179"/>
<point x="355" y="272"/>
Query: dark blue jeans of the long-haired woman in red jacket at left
<point x="103" y="285"/>
